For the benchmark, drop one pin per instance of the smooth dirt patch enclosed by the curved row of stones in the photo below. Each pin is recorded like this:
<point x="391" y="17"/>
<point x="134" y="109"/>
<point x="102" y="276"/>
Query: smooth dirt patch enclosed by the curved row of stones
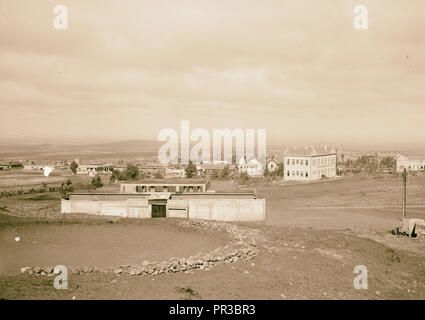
<point x="100" y="245"/>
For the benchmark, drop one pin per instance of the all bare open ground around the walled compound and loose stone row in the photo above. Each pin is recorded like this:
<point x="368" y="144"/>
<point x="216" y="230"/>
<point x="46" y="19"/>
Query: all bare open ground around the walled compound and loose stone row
<point x="310" y="247"/>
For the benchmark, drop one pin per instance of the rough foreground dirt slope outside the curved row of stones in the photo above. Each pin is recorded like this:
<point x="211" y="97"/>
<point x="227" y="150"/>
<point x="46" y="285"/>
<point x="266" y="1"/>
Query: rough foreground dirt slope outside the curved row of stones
<point x="293" y="263"/>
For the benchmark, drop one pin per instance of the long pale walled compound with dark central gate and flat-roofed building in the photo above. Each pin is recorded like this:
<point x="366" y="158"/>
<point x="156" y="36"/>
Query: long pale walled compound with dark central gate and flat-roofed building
<point x="184" y="199"/>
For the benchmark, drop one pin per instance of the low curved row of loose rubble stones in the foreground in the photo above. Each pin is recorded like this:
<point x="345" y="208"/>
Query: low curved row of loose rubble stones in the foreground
<point x="243" y="245"/>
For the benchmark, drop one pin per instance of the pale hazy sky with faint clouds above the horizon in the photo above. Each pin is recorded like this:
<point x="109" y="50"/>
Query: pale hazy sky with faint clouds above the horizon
<point x="127" y="69"/>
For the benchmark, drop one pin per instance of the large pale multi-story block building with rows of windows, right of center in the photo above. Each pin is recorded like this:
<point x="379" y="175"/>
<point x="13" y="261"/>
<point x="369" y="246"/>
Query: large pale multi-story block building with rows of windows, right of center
<point x="309" y="163"/>
